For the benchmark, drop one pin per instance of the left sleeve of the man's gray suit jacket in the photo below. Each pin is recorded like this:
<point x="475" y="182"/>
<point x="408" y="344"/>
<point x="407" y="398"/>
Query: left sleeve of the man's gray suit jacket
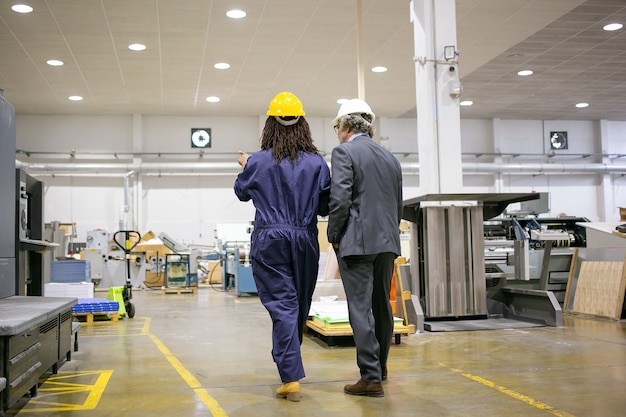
<point x="342" y="182"/>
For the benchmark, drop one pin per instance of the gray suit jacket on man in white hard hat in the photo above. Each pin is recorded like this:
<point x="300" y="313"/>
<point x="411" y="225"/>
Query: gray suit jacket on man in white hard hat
<point x="365" y="198"/>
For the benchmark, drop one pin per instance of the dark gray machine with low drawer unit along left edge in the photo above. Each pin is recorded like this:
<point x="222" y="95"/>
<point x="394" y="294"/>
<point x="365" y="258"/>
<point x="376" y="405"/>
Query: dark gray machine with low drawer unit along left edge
<point x="35" y="331"/>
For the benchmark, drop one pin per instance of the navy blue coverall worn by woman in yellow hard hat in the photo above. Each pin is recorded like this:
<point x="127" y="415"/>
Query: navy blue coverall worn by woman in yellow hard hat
<point x="284" y="245"/>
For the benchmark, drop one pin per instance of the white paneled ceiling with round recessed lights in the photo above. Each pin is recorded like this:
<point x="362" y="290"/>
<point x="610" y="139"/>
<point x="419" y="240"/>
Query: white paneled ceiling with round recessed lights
<point x="308" y="47"/>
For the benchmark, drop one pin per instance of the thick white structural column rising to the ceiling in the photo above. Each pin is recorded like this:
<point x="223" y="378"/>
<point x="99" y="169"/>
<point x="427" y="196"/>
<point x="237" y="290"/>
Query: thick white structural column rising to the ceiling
<point x="438" y="114"/>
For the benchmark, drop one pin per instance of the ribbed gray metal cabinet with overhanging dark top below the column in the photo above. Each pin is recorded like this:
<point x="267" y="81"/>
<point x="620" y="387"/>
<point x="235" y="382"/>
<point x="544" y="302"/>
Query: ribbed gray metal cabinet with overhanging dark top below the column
<point x="448" y="244"/>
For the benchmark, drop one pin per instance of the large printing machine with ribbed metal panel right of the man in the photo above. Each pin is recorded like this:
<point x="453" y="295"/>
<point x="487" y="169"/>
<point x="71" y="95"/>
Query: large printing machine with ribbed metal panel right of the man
<point x="466" y="265"/>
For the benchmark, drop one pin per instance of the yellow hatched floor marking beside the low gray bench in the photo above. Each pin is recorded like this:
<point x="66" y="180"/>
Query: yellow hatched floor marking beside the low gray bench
<point x="61" y="384"/>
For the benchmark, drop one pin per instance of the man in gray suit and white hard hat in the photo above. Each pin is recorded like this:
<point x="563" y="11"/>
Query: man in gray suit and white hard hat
<point x="363" y="228"/>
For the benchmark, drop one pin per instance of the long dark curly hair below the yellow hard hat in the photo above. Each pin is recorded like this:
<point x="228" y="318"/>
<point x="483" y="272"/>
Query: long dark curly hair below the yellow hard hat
<point x="287" y="141"/>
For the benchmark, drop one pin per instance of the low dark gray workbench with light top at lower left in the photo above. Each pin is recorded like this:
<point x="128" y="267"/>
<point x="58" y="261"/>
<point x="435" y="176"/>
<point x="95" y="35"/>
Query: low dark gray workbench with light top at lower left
<point x="35" y="337"/>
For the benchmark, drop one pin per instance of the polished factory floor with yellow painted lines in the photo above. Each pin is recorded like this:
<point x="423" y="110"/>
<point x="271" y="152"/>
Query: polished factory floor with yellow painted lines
<point x="208" y="354"/>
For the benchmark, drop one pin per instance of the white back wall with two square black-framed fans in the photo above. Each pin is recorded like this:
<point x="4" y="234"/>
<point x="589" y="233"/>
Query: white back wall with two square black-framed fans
<point x="187" y="207"/>
